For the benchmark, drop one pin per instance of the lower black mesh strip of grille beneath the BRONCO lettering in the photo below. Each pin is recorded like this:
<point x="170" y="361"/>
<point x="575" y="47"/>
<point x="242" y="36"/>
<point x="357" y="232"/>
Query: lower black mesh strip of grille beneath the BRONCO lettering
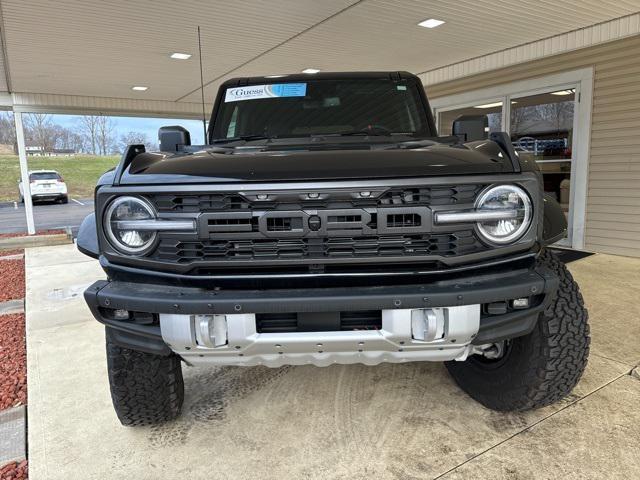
<point x="449" y="244"/>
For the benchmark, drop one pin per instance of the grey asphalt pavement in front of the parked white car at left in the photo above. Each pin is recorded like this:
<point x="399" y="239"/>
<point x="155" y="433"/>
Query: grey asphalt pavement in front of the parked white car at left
<point x="46" y="215"/>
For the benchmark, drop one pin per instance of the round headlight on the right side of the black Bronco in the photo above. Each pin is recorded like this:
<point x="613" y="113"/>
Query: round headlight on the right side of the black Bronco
<point x="515" y="205"/>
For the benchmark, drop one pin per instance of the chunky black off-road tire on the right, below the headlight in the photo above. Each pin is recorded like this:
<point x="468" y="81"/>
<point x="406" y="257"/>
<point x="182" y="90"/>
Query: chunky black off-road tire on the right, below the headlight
<point x="537" y="369"/>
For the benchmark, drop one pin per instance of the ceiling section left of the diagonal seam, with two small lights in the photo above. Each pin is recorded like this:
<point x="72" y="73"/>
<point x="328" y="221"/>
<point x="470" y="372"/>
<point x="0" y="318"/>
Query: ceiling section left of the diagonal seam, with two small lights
<point x="102" y="48"/>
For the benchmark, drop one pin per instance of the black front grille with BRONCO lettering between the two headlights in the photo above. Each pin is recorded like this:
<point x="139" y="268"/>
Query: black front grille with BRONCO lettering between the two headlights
<point x="315" y="226"/>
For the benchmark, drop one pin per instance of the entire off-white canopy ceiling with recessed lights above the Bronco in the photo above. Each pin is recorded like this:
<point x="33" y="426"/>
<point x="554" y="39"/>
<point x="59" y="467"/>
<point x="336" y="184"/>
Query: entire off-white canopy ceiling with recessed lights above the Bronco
<point x="102" y="48"/>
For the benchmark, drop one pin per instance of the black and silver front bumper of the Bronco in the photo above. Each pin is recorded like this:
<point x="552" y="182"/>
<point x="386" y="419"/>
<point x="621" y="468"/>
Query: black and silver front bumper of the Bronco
<point x="178" y="308"/>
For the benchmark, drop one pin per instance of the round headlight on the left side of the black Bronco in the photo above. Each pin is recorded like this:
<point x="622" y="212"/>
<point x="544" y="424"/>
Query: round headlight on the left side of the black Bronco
<point x="120" y="225"/>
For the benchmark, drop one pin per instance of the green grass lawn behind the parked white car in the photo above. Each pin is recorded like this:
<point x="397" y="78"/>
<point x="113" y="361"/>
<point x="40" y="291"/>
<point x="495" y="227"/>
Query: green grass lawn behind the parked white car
<point x="79" y="172"/>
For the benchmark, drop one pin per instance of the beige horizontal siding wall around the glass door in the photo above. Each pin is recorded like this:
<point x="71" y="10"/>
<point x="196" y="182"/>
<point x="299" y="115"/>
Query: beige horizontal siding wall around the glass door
<point x="613" y="196"/>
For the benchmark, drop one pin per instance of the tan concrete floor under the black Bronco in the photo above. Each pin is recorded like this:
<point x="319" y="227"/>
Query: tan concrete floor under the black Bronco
<point x="404" y="421"/>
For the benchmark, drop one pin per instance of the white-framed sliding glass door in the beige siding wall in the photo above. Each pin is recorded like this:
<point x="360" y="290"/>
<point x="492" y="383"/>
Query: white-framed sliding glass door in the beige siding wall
<point x="548" y="119"/>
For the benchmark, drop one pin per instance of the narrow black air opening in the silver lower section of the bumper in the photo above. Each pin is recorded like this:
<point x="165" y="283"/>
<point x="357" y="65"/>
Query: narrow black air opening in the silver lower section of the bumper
<point x="318" y="322"/>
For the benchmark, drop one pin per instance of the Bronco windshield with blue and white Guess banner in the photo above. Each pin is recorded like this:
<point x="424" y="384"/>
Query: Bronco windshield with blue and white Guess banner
<point x="321" y="107"/>
